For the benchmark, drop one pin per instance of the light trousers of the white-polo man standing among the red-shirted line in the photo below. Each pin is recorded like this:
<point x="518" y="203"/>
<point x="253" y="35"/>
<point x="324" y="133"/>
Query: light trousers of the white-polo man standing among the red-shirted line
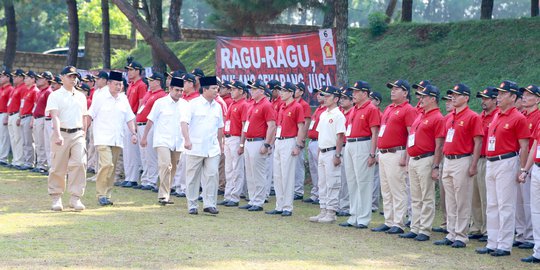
<point x="329" y="181"/>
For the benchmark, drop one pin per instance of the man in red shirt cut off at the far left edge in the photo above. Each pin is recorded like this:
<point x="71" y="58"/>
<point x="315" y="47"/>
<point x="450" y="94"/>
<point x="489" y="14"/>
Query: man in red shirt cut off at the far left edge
<point x="5" y="92"/>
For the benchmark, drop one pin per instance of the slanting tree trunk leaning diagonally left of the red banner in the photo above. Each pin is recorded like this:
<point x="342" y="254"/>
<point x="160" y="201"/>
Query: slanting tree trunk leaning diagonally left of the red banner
<point x="157" y="44"/>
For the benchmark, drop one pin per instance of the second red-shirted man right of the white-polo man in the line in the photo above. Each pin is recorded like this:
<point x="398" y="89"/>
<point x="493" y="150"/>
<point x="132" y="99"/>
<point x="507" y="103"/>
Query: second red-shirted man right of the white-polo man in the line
<point x="396" y="122"/>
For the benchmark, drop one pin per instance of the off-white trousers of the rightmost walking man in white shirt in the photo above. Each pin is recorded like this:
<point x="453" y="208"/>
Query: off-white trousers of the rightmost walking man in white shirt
<point x="202" y="171"/>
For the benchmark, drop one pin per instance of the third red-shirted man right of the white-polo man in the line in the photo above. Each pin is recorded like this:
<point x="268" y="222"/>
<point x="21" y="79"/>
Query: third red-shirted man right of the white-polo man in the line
<point x="424" y="146"/>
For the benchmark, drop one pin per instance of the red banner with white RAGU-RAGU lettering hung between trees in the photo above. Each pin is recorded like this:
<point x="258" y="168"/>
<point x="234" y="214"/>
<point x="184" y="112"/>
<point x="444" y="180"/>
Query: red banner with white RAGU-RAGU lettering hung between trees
<point x="304" y="57"/>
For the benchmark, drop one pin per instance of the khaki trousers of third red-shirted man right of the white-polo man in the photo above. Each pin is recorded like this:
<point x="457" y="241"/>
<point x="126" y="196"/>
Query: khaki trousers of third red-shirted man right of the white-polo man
<point x="422" y="195"/>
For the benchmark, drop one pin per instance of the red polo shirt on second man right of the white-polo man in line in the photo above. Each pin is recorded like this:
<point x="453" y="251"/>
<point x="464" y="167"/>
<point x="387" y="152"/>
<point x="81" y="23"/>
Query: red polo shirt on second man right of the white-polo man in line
<point x="395" y="120"/>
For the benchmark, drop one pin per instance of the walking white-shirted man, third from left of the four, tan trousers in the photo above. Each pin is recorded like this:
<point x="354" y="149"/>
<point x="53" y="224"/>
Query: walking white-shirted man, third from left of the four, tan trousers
<point x="165" y="117"/>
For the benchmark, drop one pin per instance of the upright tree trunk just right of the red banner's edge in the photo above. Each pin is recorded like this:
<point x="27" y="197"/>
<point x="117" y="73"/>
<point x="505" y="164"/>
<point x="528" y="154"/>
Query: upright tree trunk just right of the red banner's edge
<point x="341" y="8"/>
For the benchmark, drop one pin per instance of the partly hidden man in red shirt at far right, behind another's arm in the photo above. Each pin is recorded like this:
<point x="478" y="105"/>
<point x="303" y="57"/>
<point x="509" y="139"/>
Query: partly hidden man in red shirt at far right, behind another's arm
<point x="524" y="231"/>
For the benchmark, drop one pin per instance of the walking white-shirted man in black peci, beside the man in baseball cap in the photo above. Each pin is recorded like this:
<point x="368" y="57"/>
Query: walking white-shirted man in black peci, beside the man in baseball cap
<point x="109" y="112"/>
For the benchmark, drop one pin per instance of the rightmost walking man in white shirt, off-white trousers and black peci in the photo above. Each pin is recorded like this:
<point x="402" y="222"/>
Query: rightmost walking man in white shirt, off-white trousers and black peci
<point x="203" y="134"/>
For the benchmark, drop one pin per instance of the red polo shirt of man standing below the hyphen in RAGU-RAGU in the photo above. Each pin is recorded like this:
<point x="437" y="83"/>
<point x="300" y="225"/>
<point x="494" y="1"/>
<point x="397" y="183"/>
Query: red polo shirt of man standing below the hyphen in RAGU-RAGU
<point x="258" y="116"/>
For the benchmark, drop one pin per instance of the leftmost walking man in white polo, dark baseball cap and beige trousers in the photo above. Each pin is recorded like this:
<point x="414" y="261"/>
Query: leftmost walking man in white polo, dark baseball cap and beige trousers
<point x="67" y="108"/>
